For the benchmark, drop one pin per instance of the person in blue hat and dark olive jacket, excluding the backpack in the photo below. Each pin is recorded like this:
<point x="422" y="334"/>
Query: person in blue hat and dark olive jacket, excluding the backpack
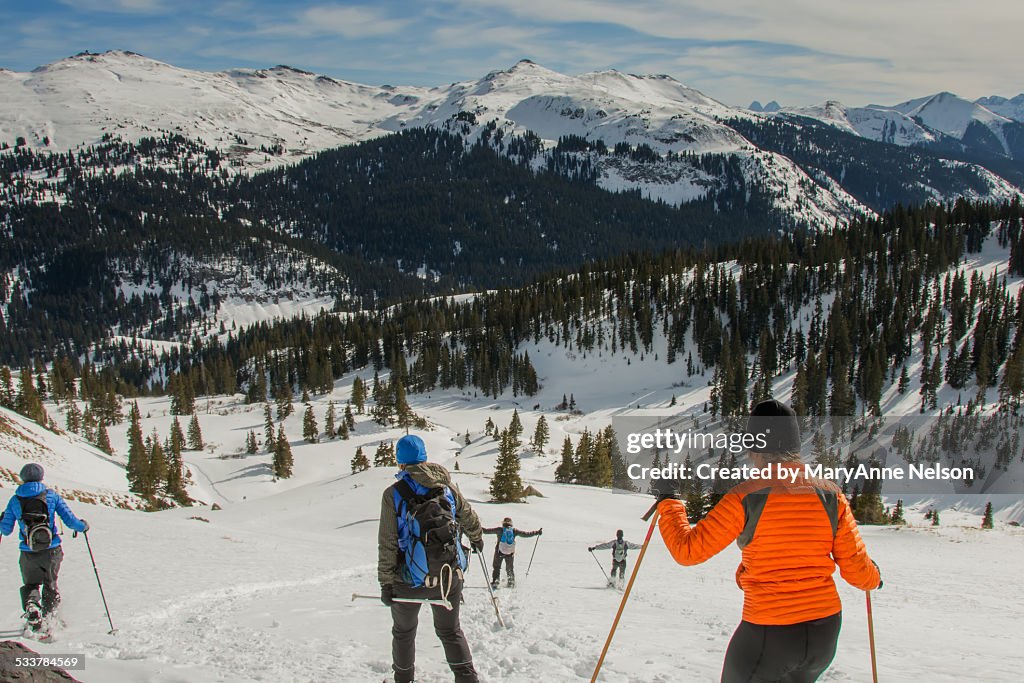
<point x="395" y="576"/>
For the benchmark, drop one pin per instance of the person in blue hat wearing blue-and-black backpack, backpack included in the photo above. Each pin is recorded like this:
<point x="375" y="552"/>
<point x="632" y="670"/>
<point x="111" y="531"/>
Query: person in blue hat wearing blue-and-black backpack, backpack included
<point x="424" y="497"/>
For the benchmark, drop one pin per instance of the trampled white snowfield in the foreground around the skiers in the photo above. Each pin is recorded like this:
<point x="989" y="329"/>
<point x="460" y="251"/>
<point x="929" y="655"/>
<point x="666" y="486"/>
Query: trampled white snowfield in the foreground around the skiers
<point x="262" y="589"/>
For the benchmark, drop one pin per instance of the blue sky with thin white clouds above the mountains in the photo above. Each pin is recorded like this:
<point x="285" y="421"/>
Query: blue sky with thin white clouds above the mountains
<point x="796" y="52"/>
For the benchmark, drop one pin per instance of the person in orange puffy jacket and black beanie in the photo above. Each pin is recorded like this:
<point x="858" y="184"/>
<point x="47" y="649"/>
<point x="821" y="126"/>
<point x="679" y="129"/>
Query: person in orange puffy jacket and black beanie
<point x="793" y="534"/>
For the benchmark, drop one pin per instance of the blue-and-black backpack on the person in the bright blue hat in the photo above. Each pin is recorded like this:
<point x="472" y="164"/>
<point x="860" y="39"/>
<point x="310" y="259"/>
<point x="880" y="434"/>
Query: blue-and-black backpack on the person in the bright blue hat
<point x="429" y="533"/>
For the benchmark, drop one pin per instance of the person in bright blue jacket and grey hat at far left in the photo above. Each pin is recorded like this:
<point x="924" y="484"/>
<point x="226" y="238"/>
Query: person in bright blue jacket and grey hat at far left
<point x="33" y="507"/>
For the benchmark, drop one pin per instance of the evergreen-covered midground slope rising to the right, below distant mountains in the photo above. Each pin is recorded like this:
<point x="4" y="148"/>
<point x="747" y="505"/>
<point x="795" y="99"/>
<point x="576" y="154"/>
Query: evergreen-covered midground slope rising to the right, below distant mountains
<point x="846" y="311"/>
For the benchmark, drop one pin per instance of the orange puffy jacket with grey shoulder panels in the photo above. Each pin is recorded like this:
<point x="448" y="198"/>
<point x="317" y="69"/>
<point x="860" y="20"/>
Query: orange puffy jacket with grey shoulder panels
<point x="792" y="535"/>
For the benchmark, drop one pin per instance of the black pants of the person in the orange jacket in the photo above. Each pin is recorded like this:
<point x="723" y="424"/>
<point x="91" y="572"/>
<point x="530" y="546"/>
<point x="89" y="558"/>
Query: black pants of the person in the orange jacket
<point x="796" y="654"/>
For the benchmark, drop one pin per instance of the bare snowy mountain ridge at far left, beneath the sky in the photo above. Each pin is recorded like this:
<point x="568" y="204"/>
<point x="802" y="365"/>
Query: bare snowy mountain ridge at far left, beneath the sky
<point x="79" y="100"/>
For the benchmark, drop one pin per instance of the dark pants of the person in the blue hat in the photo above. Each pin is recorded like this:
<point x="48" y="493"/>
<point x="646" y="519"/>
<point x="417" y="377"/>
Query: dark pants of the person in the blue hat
<point x="406" y="617"/>
